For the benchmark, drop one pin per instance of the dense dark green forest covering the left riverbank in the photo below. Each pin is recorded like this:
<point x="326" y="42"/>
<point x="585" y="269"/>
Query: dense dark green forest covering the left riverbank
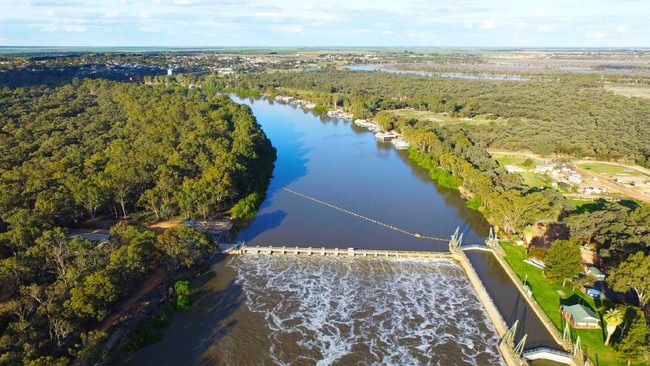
<point x="98" y="148"/>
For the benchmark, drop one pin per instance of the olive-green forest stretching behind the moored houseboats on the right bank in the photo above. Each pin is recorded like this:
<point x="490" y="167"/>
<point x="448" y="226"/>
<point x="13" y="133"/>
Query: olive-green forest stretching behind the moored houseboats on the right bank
<point x="564" y="113"/>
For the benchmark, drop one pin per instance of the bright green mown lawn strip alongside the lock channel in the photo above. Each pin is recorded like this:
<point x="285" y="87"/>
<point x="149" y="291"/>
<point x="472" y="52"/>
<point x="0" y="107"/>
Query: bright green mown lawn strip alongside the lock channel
<point x="546" y="294"/>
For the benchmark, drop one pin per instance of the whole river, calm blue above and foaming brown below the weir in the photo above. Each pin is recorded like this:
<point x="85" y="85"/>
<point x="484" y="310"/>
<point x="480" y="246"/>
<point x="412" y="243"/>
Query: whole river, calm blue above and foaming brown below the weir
<point x="258" y="310"/>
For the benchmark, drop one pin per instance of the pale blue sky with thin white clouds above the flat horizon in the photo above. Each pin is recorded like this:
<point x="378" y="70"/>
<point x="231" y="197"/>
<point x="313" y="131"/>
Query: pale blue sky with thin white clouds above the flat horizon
<point x="325" y="23"/>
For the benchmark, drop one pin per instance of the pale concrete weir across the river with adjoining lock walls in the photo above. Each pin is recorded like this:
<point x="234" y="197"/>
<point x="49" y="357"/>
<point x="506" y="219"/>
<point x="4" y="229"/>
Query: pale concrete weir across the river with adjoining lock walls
<point x="513" y="355"/>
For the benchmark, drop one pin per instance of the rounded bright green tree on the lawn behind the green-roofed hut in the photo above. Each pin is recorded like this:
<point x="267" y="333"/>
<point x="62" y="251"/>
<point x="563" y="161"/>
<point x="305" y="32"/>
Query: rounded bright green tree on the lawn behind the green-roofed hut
<point x="563" y="260"/>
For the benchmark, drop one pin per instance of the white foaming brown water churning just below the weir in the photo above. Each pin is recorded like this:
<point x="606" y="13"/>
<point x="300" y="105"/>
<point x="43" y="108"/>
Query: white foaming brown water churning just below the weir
<point x="344" y="311"/>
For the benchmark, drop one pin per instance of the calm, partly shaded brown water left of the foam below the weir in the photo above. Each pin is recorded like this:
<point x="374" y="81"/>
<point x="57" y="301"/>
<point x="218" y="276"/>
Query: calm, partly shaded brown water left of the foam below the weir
<point x="217" y="314"/>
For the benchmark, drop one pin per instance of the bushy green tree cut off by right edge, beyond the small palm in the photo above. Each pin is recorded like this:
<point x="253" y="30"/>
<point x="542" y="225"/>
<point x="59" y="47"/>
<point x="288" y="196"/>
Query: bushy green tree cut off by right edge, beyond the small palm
<point x="633" y="273"/>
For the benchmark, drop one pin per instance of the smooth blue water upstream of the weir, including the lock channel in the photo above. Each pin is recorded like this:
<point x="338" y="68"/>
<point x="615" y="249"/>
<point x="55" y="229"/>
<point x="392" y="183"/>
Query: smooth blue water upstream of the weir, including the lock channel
<point x="343" y="164"/>
